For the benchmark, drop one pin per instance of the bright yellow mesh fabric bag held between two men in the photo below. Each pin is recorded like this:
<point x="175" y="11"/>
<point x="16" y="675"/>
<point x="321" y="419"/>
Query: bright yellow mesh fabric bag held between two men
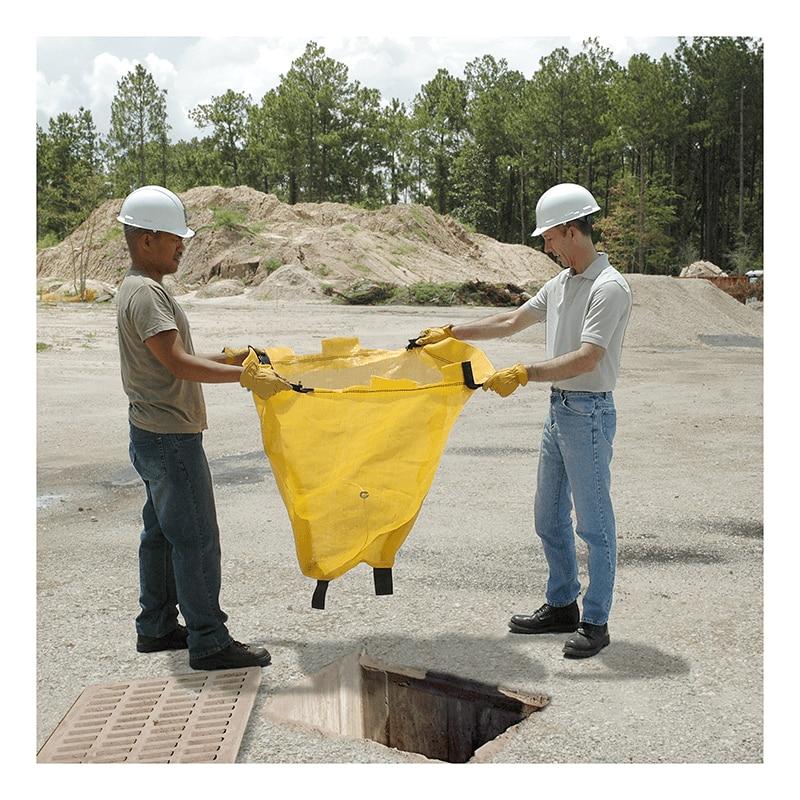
<point x="354" y="459"/>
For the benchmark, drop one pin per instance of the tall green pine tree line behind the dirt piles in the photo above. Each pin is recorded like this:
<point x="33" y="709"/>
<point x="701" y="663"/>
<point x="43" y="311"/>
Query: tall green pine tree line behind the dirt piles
<point x="671" y="148"/>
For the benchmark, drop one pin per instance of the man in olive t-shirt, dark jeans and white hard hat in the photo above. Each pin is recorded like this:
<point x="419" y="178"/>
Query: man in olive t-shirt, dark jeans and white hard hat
<point x="179" y="550"/>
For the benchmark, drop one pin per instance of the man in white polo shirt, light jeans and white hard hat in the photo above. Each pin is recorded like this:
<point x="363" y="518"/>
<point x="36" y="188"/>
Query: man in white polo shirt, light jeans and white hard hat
<point x="585" y="309"/>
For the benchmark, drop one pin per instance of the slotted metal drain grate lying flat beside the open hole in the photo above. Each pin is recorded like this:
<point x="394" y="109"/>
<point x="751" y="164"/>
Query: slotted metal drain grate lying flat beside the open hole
<point x="180" y="719"/>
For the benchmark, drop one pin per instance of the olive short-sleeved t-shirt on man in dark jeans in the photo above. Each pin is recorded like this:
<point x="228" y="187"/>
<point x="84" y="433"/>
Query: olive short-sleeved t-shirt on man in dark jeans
<point x="158" y="401"/>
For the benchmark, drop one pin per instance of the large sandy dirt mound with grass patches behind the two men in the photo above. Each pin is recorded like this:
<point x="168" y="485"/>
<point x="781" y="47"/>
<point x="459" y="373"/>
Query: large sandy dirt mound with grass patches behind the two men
<point x="247" y="235"/>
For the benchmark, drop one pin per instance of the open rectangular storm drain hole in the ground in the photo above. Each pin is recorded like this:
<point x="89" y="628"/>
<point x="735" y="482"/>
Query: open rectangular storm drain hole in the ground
<point x="437" y="715"/>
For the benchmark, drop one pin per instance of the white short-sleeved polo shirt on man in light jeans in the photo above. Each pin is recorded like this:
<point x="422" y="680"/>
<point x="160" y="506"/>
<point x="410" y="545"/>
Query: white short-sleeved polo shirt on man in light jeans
<point x="592" y="306"/>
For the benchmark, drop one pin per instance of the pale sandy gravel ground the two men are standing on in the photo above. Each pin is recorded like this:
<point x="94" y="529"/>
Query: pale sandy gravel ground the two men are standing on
<point x="682" y="679"/>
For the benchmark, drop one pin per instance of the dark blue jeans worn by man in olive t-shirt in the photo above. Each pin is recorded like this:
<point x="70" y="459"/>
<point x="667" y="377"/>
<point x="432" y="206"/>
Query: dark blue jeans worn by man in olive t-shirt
<point x="179" y="551"/>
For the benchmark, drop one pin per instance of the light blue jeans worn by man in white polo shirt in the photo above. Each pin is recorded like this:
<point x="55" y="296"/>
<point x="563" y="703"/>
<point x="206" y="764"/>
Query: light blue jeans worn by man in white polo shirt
<point x="575" y="468"/>
